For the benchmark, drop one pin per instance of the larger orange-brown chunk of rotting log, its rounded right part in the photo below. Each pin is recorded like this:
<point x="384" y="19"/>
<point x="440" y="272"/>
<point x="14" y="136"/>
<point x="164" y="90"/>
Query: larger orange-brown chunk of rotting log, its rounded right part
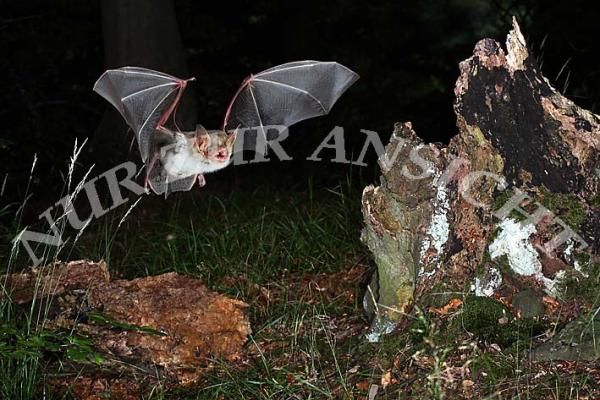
<point x="199" y="325"/>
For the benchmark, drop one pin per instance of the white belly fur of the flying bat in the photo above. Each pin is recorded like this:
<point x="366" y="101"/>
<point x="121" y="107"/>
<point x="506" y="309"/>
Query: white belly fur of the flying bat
<point x="187" y="162"/>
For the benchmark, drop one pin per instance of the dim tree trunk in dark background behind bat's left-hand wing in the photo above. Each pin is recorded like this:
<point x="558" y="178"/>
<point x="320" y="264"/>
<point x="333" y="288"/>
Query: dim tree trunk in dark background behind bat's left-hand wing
<point x="142" y="34"/>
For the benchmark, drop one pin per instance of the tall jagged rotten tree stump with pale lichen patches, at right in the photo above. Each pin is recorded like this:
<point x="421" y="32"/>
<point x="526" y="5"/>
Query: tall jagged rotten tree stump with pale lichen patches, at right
<point x="444" y="234"/>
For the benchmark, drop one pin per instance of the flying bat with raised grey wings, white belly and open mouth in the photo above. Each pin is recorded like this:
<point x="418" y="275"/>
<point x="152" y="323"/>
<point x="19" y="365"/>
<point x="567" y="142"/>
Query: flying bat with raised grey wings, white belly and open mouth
<point x="282" y="95"/>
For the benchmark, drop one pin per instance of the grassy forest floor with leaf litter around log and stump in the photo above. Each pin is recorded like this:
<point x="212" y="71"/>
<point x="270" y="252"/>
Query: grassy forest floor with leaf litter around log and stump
<point x="295" y="257"/>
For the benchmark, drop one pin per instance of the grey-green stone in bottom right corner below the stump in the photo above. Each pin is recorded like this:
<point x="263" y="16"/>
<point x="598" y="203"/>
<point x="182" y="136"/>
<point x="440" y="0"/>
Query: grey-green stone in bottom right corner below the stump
<point x="577" y="341"/>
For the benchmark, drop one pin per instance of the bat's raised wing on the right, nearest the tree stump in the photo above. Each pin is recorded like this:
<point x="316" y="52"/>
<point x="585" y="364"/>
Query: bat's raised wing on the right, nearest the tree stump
<point x="286" y="94"/>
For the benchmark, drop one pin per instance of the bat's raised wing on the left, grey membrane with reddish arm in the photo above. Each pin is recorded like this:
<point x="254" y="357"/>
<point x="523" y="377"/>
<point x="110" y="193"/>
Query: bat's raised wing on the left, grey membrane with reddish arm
<point x="145" y="98"/>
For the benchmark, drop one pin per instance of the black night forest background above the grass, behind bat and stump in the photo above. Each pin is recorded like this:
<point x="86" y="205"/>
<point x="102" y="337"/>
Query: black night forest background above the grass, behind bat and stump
<point x="407" y="54"/>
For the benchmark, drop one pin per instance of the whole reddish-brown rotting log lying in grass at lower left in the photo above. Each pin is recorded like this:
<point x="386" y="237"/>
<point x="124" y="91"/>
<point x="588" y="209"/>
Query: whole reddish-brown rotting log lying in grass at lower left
<point x="167" y="329"/>
